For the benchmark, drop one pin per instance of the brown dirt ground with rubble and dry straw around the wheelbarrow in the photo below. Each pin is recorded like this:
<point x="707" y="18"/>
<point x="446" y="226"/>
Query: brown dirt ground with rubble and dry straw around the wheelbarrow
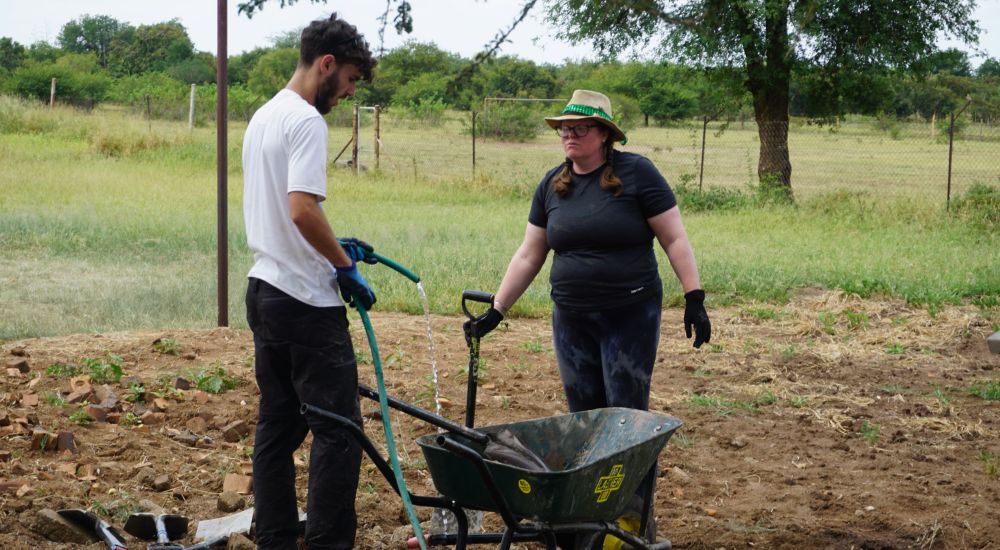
<point x="829" y="422"/>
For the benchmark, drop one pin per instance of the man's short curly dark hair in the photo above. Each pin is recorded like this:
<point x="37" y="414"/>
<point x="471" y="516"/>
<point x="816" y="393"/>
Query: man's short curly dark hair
<point x="339" y="38"/>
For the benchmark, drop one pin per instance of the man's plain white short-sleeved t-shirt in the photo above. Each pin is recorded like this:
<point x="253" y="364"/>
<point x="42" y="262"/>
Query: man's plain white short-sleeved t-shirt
<point x="284" y="150"/>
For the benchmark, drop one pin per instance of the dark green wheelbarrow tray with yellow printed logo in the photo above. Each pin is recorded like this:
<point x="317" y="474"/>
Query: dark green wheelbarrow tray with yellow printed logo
<point x="597" y="459"/>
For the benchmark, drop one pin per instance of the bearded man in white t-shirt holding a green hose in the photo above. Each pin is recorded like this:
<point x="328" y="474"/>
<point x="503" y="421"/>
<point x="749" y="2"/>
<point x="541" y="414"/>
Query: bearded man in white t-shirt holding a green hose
<point x="302" y="345"/>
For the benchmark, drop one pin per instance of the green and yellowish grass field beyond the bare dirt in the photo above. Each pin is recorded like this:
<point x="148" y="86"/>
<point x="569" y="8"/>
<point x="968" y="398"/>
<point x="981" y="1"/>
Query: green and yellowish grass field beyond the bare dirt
<point x="107" y="222"/>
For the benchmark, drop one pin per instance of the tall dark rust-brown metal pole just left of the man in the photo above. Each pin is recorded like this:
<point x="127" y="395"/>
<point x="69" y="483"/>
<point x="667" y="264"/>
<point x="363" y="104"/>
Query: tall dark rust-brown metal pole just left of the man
<point x="222" y="165"/>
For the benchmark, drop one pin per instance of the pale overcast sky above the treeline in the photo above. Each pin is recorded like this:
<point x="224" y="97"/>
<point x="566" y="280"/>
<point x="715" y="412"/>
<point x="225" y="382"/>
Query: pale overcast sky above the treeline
<point x="459" y="26"/>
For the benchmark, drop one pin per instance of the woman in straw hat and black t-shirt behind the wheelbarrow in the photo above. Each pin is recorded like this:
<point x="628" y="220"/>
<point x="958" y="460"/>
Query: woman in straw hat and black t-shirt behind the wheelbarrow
<point x="600" y="211"/>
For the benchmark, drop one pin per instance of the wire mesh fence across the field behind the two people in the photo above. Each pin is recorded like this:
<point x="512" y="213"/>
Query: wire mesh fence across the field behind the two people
<point x="877" y="158"/>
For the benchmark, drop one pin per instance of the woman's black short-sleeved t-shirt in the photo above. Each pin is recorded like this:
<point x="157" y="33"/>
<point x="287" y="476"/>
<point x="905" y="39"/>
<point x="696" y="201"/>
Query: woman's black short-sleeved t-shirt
<point x="603" y="245"/>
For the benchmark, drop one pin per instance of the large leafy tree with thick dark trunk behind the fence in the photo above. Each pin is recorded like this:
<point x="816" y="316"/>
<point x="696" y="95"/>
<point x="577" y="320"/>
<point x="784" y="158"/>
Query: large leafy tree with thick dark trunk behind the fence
<point x="768" y="40"/>
